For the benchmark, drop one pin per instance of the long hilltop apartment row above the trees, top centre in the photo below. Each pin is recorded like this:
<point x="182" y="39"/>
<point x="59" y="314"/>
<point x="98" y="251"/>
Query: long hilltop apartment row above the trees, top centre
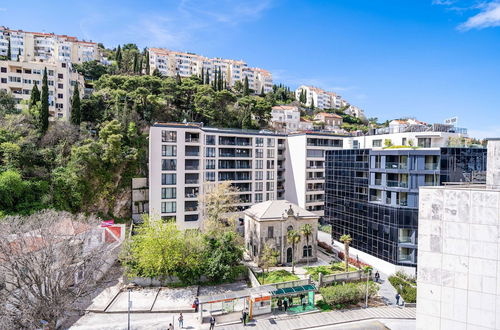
<point x="171" y="63"/>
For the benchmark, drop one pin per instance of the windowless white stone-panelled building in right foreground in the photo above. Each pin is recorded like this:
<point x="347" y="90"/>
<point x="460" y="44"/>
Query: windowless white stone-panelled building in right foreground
<point x="459" y="253"/>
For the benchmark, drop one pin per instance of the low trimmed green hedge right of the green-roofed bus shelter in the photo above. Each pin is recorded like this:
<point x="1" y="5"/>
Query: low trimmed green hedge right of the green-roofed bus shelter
<point x="348" y="293"/>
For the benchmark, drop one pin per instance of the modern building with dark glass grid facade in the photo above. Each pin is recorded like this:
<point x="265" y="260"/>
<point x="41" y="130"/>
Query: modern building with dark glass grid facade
<point x="372" y="194"/>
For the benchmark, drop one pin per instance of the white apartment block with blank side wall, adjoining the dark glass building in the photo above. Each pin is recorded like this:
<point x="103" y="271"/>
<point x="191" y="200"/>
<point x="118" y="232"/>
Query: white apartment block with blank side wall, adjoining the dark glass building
<point x="304" y="178"/>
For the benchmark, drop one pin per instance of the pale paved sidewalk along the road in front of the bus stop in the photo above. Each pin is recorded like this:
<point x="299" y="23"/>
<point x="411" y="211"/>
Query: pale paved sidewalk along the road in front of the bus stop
<point x="327" y="318"/>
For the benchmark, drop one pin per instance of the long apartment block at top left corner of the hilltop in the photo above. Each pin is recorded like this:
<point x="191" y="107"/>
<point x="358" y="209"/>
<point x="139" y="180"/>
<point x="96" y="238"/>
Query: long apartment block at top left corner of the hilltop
<point x="44" y="47"/>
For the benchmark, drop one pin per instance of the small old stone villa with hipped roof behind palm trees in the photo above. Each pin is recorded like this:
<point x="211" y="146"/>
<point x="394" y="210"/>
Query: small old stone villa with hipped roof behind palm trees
<point x="268" y="223"/>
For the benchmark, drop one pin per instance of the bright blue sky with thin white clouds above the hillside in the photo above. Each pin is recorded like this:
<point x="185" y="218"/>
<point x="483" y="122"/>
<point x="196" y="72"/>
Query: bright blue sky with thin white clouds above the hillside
<point x="431" y="59"/>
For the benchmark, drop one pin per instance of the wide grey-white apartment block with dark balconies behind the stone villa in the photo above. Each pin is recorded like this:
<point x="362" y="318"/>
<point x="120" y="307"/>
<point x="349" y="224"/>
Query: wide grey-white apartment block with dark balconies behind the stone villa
<point x="185" y="159"/>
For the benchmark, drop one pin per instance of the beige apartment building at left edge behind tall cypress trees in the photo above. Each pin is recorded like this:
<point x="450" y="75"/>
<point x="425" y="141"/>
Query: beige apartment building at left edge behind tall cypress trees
<point x="19" y="78"/>
